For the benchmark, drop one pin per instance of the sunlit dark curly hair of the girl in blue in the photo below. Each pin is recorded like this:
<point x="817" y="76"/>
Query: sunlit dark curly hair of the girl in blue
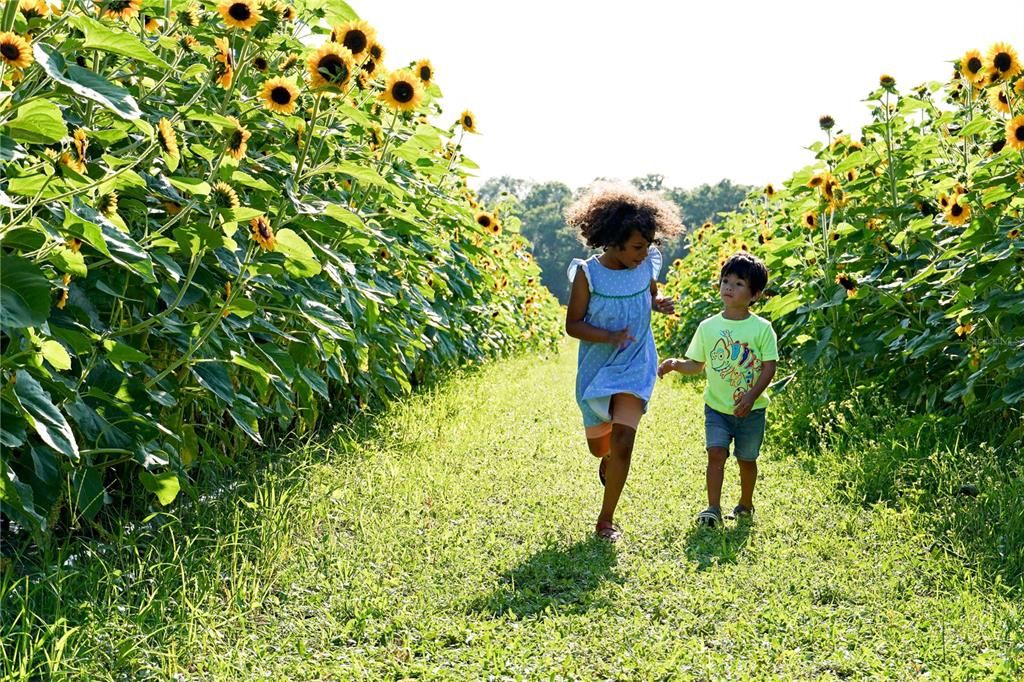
<point x="608" y="215"/>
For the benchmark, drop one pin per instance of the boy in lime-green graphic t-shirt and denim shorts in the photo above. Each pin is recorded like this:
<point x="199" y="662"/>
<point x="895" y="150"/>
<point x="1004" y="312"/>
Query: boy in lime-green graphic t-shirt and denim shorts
<point x="739" y="351"/>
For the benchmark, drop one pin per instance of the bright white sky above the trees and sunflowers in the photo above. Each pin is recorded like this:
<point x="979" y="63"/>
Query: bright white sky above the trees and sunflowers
<point x="570" y="91"/>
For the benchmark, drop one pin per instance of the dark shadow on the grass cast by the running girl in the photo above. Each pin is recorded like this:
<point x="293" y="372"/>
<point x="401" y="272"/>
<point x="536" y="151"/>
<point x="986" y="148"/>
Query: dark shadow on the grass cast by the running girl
<point x="558" y="578"/>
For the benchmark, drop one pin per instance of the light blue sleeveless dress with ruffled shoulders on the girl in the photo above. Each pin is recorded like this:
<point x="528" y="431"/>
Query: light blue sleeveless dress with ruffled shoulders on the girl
<point x="619" y="300"/>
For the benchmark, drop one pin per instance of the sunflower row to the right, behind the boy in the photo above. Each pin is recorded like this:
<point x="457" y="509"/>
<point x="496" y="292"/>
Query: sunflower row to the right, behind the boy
<point x="898" y="260"/>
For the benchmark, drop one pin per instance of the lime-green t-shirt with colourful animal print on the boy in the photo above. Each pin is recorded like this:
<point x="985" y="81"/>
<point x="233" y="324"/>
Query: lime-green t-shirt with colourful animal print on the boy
<point x="733" y="352"/>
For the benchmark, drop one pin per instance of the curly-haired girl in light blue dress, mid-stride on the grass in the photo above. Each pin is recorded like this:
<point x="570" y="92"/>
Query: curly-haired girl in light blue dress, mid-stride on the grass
<point x="610" y="309"/>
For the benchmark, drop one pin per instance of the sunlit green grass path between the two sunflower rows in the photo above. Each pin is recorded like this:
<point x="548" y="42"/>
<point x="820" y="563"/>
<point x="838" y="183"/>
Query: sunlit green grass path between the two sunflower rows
<point x="452" y="539"/>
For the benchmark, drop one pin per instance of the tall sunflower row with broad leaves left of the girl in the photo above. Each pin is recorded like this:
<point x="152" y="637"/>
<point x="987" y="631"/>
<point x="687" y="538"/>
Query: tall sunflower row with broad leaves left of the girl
<point x="217" y="222"/>
